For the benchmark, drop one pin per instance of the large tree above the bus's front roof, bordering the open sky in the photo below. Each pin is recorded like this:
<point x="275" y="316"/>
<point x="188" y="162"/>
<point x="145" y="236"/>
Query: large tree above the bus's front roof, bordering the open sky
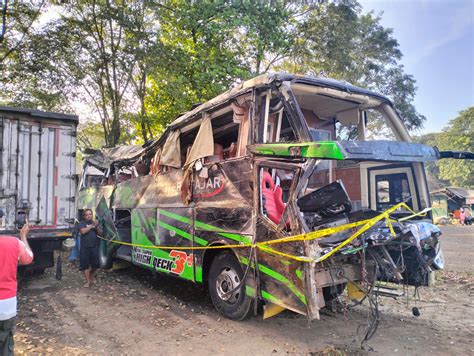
<point x="336" y="40"/>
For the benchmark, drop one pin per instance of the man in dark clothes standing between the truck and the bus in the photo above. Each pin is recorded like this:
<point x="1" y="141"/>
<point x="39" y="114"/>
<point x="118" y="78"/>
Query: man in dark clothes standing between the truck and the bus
<point x="89" y="250"/>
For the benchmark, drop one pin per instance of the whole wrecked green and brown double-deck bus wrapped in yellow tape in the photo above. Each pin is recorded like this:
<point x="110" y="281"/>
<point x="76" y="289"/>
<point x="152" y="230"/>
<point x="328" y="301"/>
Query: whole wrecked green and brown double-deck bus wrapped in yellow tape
<point x="294" y="192"/>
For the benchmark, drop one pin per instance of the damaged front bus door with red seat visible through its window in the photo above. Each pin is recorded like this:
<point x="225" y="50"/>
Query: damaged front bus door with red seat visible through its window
<point x="281" y="278"/>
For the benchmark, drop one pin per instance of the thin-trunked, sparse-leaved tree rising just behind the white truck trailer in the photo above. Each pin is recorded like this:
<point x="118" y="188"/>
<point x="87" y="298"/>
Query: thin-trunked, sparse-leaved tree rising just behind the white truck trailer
<point x="93" y="53"/>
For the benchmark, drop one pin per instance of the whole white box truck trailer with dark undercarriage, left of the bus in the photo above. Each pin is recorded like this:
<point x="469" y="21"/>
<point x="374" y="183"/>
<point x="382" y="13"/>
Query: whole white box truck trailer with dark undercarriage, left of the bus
<point x="38" y="178"/>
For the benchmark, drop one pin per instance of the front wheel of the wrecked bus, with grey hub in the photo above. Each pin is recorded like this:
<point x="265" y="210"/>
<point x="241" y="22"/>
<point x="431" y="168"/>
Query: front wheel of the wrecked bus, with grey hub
<point x="227" y="292"/>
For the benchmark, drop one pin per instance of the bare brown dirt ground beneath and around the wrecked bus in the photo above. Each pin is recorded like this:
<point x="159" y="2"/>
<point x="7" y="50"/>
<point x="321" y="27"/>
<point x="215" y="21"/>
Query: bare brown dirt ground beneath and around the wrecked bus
<point x="130" y="312"/>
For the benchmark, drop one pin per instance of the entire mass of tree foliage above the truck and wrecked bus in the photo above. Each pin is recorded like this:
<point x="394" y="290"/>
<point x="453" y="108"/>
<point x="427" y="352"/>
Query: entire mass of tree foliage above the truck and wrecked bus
<point x="139" y="64"/>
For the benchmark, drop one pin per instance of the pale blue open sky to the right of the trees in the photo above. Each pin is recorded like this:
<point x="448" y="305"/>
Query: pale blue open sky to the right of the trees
<point x="436" y="38"/>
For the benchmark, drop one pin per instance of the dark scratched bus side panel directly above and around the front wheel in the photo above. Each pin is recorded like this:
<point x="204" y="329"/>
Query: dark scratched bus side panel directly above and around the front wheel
<point x="223" y="211"/>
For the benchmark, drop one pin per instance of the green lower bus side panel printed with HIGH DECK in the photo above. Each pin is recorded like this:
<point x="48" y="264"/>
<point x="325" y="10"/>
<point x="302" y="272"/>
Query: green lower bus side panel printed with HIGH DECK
<point x="170" y="228"/>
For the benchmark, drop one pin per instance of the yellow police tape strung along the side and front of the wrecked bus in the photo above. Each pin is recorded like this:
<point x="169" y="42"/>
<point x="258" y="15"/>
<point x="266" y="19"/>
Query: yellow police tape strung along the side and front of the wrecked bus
<point x="366" y="225"/>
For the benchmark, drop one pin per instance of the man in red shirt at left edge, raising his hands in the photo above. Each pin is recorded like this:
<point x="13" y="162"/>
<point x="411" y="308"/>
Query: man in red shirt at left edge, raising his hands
<point x="13" y="251"/>
